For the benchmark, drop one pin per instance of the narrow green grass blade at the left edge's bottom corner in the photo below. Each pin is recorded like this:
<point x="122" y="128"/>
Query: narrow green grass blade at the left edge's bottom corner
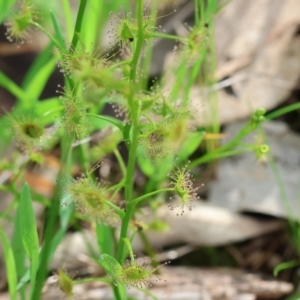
<point x="10" y="266"/>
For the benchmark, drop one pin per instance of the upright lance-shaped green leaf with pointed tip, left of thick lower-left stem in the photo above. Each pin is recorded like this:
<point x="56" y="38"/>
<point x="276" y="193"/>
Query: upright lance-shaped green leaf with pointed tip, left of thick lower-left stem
<point x="28" y="230"/>
